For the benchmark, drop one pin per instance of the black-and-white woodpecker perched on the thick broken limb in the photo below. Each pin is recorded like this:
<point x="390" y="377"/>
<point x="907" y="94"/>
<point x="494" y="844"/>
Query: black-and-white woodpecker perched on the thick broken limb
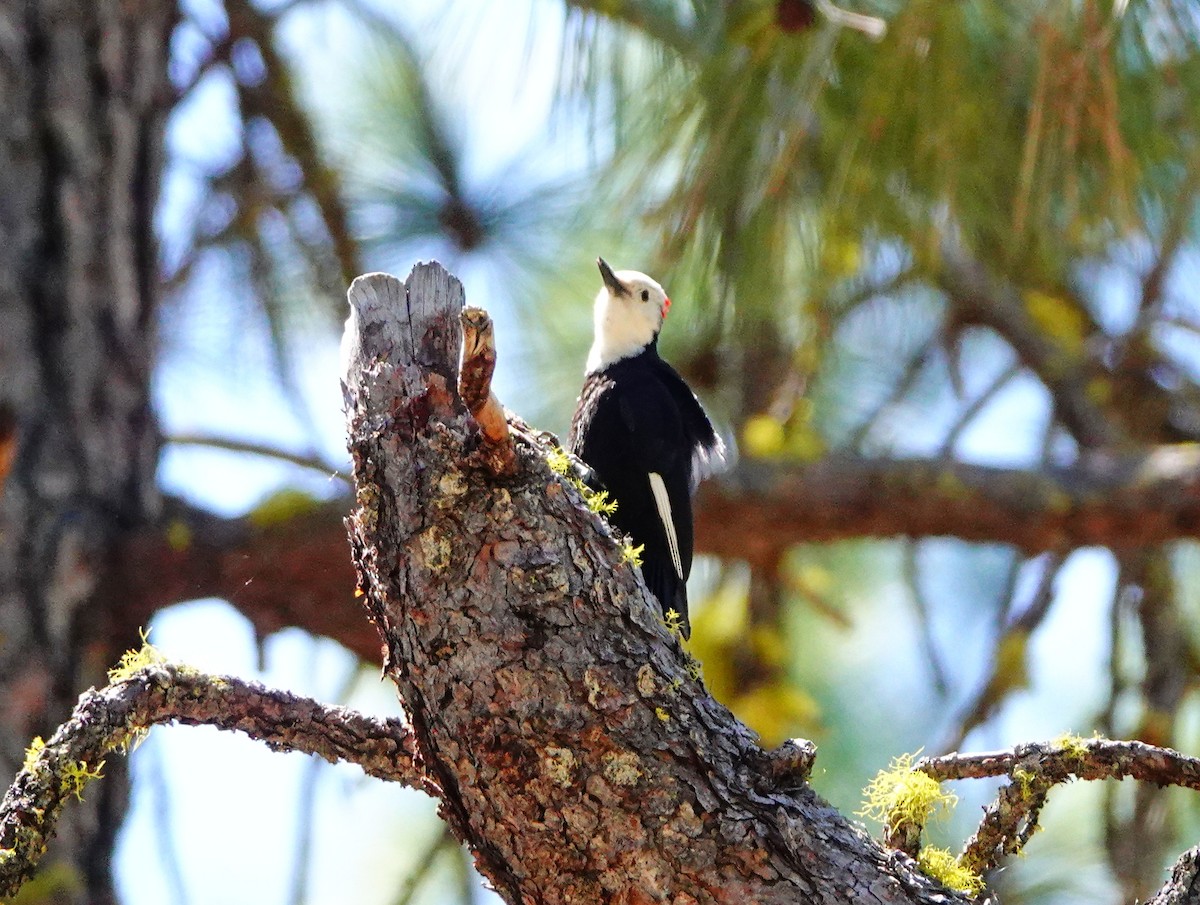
<point x="644" y="435"/>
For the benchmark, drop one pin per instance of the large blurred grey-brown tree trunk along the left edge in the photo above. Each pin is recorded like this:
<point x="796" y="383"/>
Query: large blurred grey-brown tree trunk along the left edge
<point x="83" y="98"/>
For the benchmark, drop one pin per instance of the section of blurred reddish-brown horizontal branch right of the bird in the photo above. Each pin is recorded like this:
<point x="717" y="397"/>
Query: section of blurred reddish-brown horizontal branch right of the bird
<point x="1117" y="501"/>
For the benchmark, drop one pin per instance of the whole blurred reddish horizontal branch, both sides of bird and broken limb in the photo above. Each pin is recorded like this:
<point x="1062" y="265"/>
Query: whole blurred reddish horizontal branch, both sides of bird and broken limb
<point x="295" y="572"/>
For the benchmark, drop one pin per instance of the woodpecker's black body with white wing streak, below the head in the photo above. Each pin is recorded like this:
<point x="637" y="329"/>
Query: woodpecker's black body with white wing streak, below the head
<point x="635" y="418"/>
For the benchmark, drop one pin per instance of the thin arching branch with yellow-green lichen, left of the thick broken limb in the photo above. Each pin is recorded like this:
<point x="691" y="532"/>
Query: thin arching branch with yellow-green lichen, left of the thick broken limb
<point x="116" y="717"/>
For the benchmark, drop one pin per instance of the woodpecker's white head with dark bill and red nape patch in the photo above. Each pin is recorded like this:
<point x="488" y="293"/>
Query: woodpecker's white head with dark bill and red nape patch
<point x="629" y="314"/>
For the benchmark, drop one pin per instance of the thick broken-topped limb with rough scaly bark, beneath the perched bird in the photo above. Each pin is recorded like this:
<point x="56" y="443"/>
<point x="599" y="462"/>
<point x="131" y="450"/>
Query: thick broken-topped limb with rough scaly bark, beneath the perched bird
<point x="577" y="753"/>
